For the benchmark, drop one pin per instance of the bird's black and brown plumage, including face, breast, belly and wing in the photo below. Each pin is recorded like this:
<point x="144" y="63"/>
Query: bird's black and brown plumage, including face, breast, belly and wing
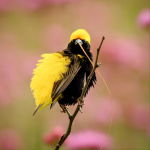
<point x="70" y="87"/>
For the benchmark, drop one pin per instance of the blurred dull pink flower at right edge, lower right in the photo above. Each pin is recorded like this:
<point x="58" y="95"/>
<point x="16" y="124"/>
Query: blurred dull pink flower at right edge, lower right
<point x="138" y="116"/>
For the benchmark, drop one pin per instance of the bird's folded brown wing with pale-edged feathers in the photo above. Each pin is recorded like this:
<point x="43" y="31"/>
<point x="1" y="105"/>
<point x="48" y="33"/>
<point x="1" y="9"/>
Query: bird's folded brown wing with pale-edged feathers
<point x="62" y="84"/>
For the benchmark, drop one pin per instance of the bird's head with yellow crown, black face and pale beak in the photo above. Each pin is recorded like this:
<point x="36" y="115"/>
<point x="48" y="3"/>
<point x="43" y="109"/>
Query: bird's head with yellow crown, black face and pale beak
<point x="79" y="36"/>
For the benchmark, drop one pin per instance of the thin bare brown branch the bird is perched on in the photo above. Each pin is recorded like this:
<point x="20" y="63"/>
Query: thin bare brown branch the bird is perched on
<point x="72" y="117"/>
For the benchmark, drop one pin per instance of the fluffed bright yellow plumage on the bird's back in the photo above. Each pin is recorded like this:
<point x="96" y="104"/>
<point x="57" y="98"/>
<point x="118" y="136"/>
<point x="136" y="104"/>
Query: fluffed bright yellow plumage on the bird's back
<point x="48" y="71"/>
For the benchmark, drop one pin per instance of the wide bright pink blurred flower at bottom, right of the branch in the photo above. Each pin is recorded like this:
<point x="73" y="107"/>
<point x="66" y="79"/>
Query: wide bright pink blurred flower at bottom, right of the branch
<point x="88" y="140"/>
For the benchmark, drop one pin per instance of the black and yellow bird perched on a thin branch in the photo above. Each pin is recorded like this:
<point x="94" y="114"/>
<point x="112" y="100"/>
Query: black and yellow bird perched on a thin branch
<point x="59" y="77"/>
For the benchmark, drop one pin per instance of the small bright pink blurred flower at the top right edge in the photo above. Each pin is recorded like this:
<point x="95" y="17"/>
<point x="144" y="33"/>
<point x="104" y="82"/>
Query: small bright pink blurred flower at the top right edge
<point x="143" y="18"/>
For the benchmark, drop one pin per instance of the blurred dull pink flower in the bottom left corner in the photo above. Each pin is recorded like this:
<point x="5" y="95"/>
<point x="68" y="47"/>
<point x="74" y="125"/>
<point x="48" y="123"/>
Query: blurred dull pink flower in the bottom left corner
<point x="10" y="140"/>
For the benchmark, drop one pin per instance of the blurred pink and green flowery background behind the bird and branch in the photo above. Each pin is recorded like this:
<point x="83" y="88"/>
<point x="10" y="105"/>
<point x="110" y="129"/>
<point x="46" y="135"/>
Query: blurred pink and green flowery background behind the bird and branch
<point x="29" y="28"/>
